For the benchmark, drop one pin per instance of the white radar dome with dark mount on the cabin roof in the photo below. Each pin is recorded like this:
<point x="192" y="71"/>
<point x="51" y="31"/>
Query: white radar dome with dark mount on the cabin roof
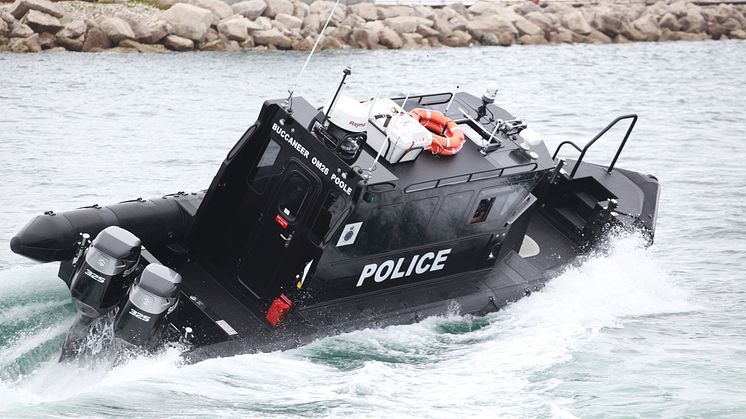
<point x="346" y="133"/>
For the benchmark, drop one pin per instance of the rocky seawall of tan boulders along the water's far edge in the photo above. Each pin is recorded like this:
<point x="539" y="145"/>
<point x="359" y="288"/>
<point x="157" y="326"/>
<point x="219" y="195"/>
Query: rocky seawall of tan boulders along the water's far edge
<point x="214" y="25"/>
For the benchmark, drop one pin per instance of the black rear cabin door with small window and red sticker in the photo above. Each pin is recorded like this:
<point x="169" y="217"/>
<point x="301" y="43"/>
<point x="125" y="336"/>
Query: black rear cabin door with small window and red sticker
<point x="279" y="229"/>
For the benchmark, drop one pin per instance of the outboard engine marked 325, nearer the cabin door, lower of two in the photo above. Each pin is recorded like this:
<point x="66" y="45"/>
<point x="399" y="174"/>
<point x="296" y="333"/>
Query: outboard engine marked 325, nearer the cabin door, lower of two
<point x="151" y="299"/>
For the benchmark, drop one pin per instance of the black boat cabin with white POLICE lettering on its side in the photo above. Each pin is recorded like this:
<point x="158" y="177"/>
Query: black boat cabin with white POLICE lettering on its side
<point x="290" y="212"/>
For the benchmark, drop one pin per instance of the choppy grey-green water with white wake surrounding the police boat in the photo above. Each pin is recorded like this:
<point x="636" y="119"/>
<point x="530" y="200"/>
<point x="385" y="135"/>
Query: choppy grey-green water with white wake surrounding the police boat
<point x="647" y="333"/>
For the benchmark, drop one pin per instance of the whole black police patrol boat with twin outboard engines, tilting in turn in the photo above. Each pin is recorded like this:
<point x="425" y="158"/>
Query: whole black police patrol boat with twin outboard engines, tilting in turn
<point x="327" y="220"/>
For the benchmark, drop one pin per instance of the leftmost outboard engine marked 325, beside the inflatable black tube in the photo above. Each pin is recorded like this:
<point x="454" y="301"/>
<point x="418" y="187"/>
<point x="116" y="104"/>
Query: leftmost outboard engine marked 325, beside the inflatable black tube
<point x="106" y="271"/>
